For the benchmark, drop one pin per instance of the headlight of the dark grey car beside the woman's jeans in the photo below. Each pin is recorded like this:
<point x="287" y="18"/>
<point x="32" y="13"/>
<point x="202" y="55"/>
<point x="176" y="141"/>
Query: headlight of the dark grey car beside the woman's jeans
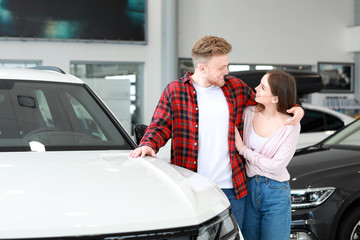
<point x="310" y="197"/>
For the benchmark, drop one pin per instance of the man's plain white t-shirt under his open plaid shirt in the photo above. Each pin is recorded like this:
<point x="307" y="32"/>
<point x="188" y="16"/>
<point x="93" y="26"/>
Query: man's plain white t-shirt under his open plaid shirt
<point x="213" y="158"/>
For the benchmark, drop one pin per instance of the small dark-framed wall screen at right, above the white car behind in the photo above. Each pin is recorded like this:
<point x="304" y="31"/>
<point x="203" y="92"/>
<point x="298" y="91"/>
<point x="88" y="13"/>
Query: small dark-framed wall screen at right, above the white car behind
<point x="337" y="77"/>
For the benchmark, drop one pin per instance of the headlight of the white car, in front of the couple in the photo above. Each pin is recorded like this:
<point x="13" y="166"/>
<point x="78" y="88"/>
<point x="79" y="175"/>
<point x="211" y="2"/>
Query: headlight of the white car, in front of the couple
<point x="223" y="226"/>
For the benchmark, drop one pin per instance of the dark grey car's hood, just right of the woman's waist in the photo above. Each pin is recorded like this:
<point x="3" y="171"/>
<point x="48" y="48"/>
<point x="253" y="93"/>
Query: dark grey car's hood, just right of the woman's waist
<point x="310" y="166"/>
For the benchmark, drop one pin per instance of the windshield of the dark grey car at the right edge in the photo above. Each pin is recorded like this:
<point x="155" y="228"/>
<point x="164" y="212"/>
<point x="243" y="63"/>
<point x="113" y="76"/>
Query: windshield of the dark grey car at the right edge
<point x="349" y="137"/>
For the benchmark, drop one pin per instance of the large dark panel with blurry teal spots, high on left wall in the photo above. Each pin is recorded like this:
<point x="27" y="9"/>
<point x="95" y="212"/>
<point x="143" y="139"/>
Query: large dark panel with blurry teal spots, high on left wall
<point x="74" y="20"/>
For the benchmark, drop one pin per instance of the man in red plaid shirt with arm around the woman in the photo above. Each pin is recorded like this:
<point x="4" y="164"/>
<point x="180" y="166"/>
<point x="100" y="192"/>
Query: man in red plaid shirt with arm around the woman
<point x="199" y="112"/>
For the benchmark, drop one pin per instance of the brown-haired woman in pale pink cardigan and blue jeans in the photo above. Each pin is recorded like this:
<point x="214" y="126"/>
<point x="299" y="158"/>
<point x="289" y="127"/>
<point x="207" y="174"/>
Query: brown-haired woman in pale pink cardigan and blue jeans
<point x="268" y="148"/>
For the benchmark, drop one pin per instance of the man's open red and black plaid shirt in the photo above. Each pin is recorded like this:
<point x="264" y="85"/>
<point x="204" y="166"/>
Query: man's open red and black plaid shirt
<point x="177" y="117"/>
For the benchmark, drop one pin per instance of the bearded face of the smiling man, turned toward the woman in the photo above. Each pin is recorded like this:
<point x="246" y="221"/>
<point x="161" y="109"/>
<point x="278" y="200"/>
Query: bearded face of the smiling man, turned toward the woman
<point x="215" y="70"/>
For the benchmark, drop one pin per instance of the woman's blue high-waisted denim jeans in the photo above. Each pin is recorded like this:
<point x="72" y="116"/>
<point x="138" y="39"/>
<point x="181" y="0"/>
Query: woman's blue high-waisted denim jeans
<point x="267" y="210"/>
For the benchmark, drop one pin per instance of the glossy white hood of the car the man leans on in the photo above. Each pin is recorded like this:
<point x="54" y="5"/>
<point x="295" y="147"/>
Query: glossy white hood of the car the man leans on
<point x="47" y="194"/>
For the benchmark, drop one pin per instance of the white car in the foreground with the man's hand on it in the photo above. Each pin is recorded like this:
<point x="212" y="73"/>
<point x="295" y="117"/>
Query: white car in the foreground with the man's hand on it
<point x="65" y="171"/>
